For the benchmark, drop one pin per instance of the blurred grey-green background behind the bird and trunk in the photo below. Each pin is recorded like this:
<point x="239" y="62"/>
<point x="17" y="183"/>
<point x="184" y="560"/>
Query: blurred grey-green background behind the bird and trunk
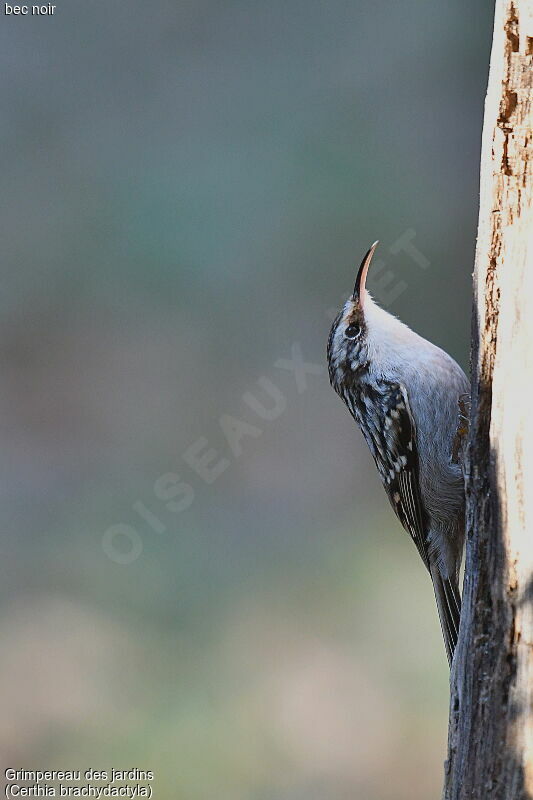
<point x="188" y="187"/>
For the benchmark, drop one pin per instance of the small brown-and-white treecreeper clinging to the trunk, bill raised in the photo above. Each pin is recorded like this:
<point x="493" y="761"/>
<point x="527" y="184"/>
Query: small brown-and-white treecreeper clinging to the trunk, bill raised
<point x="404" y="392"/>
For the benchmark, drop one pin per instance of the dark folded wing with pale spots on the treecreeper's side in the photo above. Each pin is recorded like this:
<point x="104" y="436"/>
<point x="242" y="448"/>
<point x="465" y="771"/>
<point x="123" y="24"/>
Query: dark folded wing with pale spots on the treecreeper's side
<point x="391" y="436"/>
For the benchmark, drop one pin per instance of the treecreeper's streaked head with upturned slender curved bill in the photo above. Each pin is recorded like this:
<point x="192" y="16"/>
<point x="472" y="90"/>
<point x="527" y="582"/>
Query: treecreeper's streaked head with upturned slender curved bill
<point x="349" y="338"/>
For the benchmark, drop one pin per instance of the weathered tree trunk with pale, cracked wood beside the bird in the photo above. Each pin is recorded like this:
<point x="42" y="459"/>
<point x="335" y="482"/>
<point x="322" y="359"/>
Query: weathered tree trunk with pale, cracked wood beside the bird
<point x="490" y="749"/>
